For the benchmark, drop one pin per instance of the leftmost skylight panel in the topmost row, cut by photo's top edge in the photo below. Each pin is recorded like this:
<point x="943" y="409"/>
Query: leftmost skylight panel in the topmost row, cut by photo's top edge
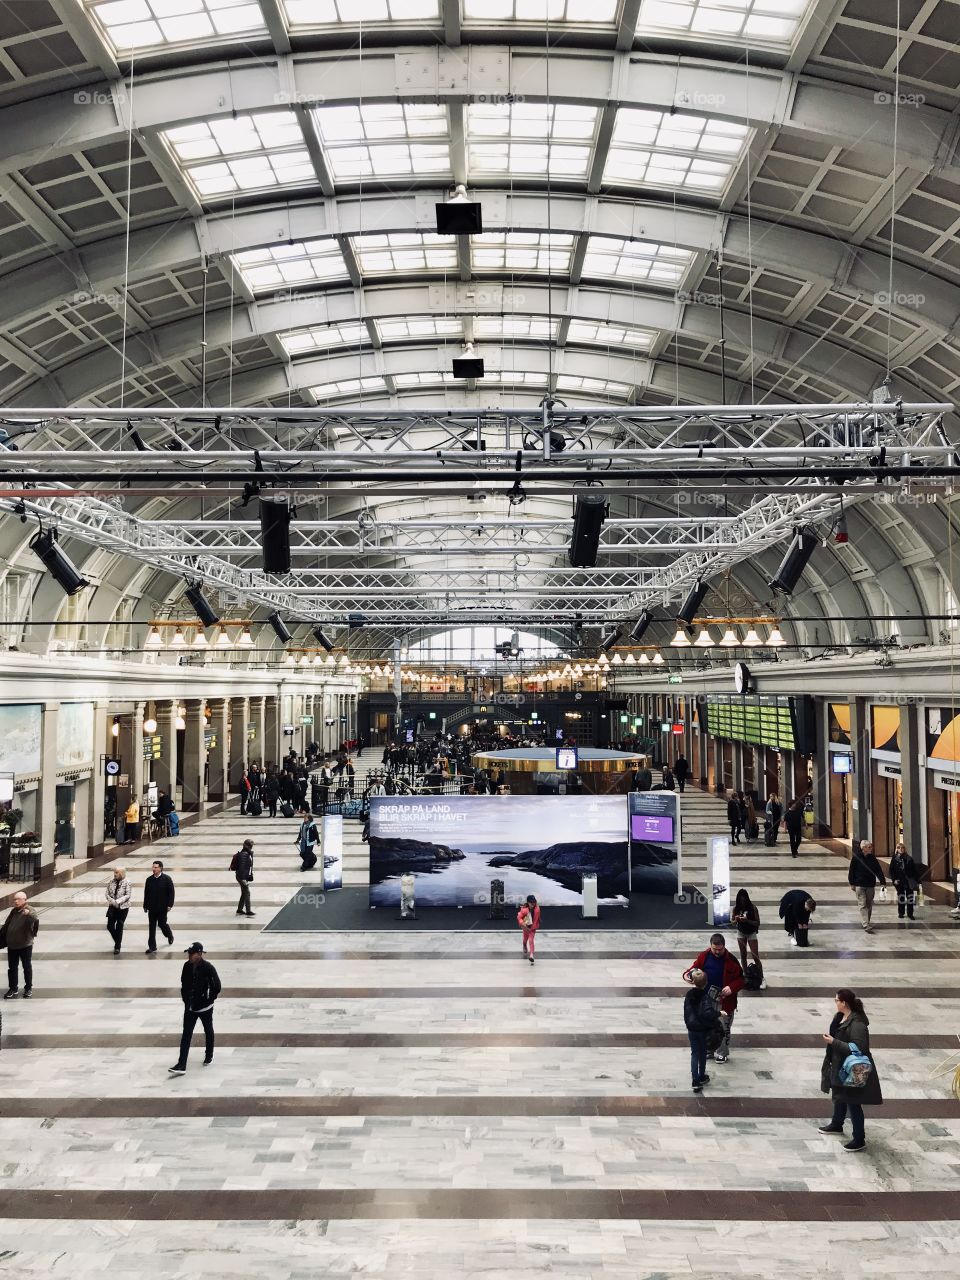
<point x="145" y="25"/>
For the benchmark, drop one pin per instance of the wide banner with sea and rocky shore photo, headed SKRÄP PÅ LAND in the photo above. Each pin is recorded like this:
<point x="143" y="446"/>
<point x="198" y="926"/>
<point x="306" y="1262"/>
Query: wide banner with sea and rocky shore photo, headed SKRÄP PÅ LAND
<point x="456" y="845"/>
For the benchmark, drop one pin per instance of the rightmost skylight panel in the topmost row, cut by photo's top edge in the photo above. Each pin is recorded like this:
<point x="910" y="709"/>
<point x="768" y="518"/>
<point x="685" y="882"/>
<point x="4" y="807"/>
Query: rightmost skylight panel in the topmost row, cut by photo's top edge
<point x="770" y="22"/>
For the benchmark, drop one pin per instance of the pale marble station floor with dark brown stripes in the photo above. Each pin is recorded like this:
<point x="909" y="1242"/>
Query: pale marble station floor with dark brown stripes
<point x="391" y="1104"/>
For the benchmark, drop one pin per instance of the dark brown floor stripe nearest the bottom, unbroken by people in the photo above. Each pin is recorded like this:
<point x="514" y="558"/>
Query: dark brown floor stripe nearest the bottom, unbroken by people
<point x="473" y="1204"/>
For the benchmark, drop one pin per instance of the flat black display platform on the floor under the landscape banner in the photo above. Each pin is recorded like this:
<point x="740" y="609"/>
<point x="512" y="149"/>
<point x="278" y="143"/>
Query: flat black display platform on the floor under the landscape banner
<point x="348" y="909"/>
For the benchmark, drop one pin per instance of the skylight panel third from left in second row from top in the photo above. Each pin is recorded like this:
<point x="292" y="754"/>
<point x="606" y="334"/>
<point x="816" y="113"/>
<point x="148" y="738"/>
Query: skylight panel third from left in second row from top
<point x="511" y="139"/>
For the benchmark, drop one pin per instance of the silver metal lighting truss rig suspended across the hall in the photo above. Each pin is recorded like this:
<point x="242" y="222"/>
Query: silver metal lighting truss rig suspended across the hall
<point x="817" y="446"/>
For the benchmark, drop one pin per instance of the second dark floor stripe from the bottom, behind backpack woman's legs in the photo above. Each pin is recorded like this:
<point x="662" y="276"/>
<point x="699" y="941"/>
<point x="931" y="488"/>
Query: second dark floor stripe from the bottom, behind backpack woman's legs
<point x="171" y="1104"/>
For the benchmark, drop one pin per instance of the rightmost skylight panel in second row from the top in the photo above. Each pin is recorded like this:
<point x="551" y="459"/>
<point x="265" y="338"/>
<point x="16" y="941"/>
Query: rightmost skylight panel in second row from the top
<point x="656" y="149"/>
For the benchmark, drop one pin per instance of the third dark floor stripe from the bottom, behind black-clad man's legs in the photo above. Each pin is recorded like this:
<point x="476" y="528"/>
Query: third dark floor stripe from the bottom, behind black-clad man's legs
<point x="446" y="1040"/>
